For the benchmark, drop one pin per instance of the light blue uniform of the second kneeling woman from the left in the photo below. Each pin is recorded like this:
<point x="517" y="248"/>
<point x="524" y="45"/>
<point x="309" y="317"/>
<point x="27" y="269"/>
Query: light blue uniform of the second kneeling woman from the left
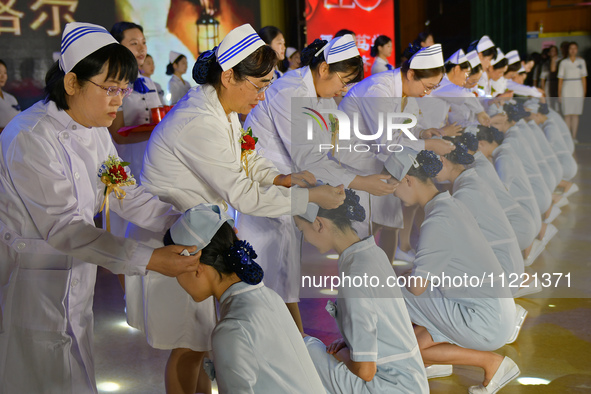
<point x="376" y="327"/>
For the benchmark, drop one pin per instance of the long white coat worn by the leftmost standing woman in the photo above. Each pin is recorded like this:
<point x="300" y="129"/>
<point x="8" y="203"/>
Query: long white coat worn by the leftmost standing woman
<point x="50" y="192"/>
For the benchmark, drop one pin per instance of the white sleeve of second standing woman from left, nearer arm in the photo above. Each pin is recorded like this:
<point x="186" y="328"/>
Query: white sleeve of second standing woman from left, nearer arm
<point x="213" y="160"/>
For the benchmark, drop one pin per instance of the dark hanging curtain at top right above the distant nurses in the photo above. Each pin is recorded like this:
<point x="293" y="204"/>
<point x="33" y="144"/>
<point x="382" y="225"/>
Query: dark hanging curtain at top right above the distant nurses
<point x="504" y="21"/>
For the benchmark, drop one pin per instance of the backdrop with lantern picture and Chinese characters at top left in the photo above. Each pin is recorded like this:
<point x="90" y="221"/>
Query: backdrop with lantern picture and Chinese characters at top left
<point x="30" y="32"/>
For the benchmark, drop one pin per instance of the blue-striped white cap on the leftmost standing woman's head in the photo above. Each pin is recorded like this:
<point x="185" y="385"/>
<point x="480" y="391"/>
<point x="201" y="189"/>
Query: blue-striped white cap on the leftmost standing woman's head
<point x="80" y="40"/>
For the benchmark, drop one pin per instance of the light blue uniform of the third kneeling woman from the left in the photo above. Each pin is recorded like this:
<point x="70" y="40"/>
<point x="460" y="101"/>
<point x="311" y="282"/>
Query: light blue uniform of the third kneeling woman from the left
<point x="480" y="318"/>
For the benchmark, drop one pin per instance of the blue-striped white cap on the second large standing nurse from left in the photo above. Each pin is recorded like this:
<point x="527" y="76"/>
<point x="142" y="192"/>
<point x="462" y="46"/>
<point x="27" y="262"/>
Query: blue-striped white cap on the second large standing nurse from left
<point x="237" y="45"/>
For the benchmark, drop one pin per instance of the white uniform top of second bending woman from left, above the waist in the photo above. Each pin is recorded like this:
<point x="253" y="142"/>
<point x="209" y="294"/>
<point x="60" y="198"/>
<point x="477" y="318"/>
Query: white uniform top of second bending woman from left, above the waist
<point x="194" y="157"/>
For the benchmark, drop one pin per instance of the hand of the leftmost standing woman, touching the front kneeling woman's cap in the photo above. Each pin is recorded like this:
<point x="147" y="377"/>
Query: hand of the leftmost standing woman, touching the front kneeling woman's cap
<point x="168" y="260"/>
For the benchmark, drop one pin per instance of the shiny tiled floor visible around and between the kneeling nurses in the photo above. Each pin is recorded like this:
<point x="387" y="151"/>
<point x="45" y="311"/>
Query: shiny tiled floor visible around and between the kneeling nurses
<point x="553" y="350"/>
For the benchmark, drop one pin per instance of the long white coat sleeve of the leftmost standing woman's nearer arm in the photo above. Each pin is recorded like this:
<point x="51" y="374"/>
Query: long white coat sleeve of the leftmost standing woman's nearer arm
<point x="51" y="200"/>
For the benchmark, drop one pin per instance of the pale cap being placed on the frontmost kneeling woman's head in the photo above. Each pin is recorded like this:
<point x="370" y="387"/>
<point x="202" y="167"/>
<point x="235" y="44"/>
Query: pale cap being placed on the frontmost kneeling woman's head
<point x="198" y="225"/>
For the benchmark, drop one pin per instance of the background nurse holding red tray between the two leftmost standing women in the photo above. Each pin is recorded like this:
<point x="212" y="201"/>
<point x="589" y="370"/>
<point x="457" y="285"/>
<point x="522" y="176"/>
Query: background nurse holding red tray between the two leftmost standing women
<point x="137" y="107"/>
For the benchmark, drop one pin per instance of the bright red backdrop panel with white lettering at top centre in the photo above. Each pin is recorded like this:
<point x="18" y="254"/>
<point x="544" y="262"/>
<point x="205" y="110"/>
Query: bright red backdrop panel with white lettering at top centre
<point x="367" y="18"/>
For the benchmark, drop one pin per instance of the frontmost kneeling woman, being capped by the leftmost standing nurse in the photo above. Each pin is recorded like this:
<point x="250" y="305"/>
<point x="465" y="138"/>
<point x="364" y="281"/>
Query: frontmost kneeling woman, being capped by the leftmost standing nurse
<point x="257" y="348"/>
